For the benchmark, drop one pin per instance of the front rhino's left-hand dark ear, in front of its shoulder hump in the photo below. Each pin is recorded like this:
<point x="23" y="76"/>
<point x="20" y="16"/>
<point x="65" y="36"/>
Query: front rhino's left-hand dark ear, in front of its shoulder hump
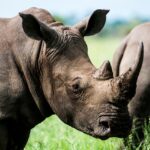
<point x="36" y="29"/>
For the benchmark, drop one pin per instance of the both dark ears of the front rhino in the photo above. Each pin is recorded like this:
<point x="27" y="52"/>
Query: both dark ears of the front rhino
<point x="39" y="31"/>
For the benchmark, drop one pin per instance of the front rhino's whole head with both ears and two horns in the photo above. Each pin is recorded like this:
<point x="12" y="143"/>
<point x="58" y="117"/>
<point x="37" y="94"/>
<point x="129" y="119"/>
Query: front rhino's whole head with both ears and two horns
<point x="86" y="98"/>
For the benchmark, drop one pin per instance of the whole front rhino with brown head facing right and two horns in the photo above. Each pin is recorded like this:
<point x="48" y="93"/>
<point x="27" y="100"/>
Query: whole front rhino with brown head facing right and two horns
<point x="45" y="70"/>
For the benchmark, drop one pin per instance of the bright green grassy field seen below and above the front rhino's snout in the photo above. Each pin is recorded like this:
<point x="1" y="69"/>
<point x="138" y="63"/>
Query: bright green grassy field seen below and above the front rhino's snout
<point x="52" y="134"/>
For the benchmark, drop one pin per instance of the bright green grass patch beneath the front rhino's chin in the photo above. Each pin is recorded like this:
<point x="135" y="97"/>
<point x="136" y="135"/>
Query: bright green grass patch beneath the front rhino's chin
<point x="52" y="134"/>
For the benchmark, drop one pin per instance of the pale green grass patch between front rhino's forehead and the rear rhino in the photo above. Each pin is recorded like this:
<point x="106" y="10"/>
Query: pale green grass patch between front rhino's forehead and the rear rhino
<point x="101" y="49"/>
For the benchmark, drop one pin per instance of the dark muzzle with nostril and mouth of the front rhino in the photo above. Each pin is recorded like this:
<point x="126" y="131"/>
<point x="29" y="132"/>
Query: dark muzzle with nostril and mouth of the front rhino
<point x="111" y="125"/>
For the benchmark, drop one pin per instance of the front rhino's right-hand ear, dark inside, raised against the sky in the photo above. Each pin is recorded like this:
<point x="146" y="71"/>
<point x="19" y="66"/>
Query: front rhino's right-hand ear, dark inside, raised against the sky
<point x="92" y="24"/>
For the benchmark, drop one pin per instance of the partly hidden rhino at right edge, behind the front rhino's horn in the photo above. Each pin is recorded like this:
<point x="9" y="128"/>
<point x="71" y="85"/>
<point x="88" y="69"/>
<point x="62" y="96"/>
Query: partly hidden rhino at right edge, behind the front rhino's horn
<point x="139" y="106"/>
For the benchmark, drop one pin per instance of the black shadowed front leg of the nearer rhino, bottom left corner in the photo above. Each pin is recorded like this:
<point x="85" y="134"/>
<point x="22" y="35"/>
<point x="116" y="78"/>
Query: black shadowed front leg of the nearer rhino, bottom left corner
<point x="12" y="136"/>
